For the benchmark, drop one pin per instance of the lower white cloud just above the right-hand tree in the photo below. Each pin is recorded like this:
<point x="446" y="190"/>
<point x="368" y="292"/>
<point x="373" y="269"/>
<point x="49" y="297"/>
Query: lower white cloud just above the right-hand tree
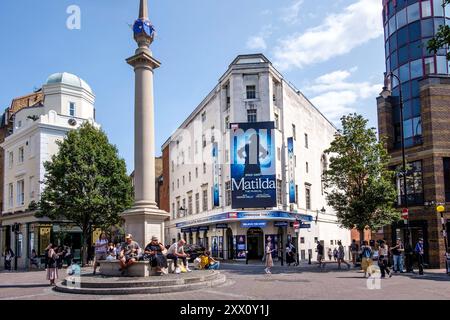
<point x="335" y="95"/>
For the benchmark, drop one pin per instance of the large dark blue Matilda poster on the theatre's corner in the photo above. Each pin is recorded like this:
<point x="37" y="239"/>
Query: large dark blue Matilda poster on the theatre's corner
<point x="253" y="181"/>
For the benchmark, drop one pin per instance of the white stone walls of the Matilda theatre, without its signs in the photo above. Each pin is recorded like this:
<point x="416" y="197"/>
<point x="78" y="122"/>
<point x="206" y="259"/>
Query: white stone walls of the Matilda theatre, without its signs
<point x="251" y="90"/>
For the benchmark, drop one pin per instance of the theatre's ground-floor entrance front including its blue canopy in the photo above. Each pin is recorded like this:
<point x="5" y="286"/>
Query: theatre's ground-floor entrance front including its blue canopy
<point x="243" y="235"/>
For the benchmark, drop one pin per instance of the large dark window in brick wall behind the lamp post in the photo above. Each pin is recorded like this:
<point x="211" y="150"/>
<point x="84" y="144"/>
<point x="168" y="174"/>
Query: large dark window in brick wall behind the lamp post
<point x="414" y="184"/>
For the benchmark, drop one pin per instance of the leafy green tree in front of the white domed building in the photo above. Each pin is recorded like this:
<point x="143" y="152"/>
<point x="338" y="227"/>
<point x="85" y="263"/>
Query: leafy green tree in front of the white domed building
<point x="86" y="183"/>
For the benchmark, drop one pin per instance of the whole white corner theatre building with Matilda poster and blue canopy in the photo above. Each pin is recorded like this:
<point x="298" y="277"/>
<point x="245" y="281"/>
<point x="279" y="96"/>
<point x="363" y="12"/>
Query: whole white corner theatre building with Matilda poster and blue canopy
<point x="246" y="167"/>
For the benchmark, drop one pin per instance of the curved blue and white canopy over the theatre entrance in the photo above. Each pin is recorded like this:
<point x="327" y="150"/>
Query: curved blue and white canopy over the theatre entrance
<point x="237" y="216"/>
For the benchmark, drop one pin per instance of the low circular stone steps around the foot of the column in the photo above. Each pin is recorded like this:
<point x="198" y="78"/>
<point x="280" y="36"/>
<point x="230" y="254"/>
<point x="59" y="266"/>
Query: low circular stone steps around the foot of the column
<point x="90" y="284"/>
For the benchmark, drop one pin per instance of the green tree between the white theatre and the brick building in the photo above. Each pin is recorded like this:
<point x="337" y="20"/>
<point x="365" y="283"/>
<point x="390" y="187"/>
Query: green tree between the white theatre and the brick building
<point x="359" y="185"/>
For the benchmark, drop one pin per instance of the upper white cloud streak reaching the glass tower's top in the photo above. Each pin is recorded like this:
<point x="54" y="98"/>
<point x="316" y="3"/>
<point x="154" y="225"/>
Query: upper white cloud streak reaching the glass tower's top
<point x="338" y="34"/>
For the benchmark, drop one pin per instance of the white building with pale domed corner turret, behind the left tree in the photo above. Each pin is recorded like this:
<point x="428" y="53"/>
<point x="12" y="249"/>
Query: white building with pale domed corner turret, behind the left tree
<point x="68" y="102"/>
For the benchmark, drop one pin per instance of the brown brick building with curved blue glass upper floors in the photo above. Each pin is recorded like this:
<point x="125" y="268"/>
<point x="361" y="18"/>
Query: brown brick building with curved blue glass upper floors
<point x="421" y="78"/>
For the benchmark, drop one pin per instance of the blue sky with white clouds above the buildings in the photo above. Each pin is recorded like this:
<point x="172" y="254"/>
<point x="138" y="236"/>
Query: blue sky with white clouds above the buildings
<point x="332" y="50"/>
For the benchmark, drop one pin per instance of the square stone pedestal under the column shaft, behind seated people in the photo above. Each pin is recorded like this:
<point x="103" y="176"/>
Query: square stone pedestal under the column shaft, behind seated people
<point x="144" y="222"/>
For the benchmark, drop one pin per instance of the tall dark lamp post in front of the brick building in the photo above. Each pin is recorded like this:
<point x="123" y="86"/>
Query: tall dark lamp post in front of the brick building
<point x="386" y="93"/>
